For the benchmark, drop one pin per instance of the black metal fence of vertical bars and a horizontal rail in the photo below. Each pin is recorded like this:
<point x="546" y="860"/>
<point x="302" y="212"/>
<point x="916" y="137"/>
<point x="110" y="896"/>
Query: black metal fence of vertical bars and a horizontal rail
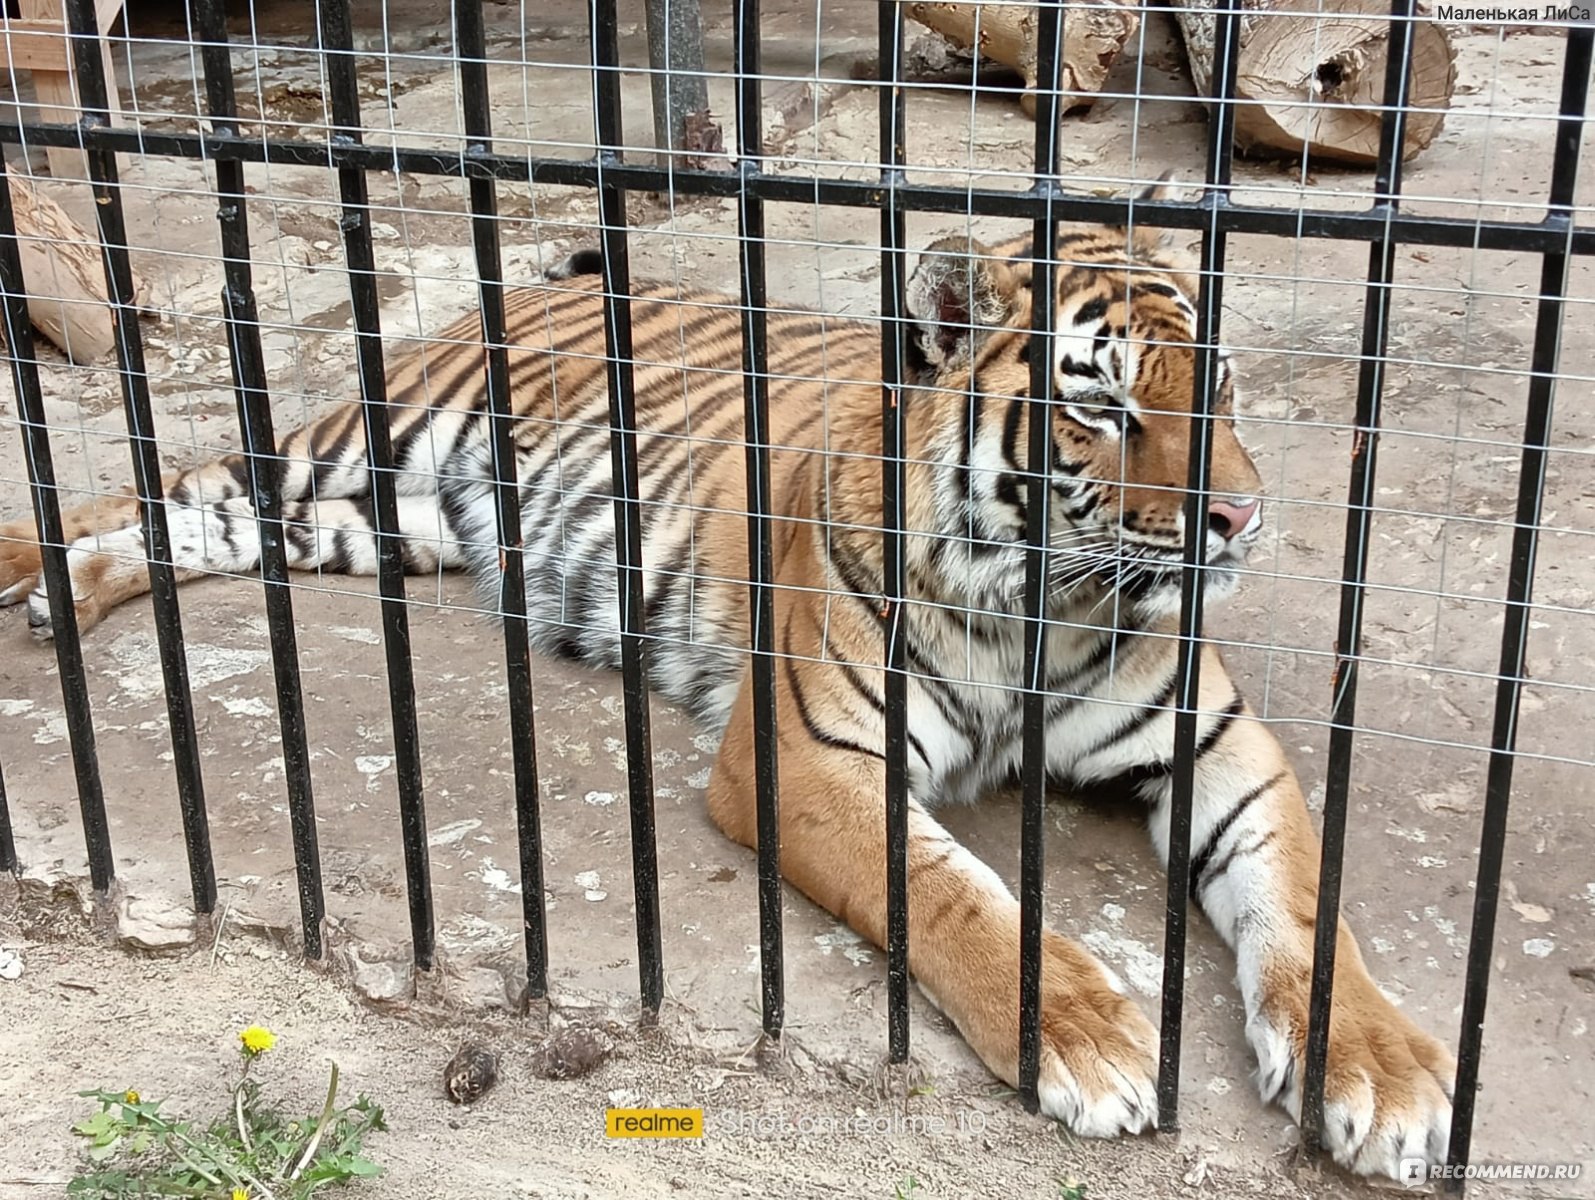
<point x="1382" y="223"/>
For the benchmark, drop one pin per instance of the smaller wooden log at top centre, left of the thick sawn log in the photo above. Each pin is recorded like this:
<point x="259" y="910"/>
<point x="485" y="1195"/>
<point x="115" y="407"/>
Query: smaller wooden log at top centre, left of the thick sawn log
<point x="1093" y="37"/>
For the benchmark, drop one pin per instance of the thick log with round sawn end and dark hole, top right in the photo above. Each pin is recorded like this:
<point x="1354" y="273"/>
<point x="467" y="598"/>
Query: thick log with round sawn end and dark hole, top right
<point x="1313" y="81"/>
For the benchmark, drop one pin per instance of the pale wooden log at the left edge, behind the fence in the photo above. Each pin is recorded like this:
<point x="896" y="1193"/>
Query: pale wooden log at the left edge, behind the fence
<point x="66" y="282"/>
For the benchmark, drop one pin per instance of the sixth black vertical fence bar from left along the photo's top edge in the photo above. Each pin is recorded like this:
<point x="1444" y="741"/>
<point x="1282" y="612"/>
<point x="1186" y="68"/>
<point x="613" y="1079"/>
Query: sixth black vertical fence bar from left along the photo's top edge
<point x="762" y="572"/>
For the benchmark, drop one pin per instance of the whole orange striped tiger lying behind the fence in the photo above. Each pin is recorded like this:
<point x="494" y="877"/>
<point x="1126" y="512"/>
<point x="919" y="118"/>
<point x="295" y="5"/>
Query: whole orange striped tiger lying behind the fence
<point x="1125" y="358"/>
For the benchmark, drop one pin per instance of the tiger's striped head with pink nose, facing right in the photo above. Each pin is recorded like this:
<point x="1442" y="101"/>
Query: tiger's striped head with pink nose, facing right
<point x="1124" y="376"/>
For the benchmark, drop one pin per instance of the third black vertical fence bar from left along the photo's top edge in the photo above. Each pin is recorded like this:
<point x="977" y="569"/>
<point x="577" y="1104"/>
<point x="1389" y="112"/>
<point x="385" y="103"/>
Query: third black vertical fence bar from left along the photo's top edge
<point x="337" y="41"/>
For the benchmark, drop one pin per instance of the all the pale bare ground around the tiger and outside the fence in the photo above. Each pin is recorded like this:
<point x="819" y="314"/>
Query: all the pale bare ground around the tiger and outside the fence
<point x="1449" y="468"/>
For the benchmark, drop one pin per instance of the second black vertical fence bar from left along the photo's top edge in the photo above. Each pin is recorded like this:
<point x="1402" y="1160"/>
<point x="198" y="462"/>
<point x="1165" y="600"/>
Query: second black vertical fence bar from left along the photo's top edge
<point x="266" y="465"/>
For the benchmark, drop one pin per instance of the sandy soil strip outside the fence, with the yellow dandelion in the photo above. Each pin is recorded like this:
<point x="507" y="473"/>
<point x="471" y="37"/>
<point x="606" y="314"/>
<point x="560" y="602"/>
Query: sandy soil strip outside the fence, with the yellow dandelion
<point x="87" y="1017"/>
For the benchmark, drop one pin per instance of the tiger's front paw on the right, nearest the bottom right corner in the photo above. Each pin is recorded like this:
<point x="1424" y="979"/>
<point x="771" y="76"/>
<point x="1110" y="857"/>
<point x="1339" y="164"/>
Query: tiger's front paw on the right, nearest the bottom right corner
<point x="1387" y="1089"/>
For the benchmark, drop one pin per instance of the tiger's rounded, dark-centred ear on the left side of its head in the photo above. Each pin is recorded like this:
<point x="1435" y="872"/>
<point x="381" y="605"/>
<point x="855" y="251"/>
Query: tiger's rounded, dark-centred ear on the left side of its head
<point x="956" y="296"/>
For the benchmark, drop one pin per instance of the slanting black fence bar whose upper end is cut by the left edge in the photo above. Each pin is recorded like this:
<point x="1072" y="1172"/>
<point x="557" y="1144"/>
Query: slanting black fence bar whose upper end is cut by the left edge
<point x="52" y="547"/>
